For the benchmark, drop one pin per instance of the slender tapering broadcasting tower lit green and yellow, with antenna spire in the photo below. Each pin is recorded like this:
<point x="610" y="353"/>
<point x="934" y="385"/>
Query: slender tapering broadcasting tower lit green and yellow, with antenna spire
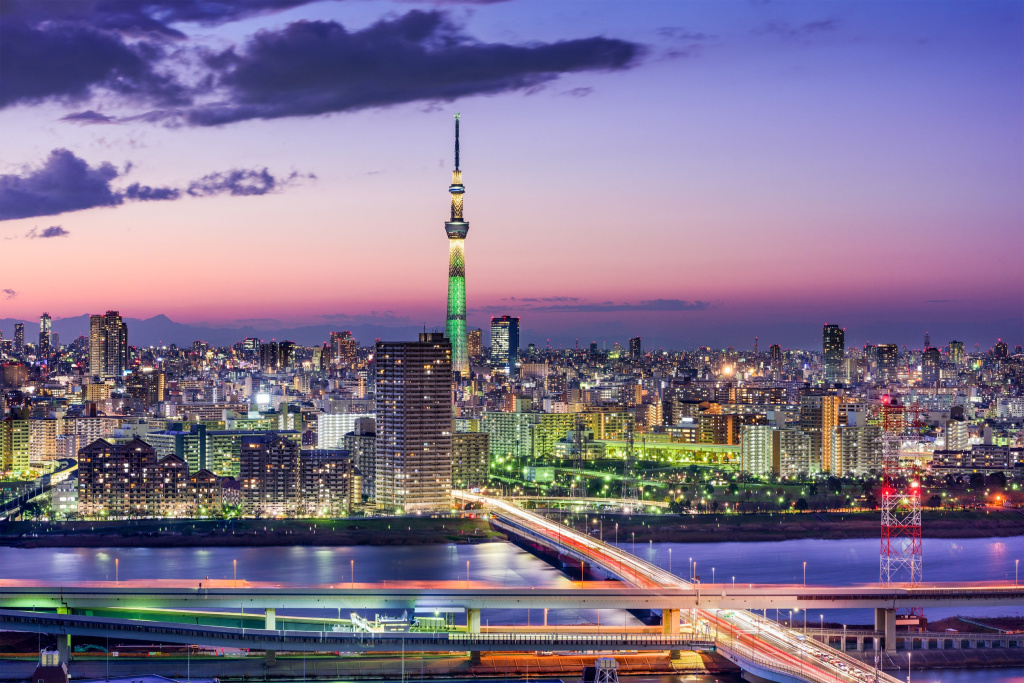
<point x="457" y="229"/>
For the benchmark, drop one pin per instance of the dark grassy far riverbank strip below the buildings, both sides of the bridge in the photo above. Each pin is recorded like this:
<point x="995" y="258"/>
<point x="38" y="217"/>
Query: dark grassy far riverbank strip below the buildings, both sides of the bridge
<point x="993" y="523"/>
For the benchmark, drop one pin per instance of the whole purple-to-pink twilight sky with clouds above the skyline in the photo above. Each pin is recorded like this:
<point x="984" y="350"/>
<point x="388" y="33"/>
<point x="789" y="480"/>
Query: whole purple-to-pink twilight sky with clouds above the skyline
<point x="695" y="174"/>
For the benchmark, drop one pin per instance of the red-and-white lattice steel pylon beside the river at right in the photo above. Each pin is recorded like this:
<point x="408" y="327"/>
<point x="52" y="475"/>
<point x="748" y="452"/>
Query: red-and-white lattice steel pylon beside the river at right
<point x="902" y="556"/>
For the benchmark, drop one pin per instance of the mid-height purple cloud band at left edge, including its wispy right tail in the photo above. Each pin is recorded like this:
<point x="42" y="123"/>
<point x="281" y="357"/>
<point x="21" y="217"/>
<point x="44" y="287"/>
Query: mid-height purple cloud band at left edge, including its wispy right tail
<point x="66" y="183"/>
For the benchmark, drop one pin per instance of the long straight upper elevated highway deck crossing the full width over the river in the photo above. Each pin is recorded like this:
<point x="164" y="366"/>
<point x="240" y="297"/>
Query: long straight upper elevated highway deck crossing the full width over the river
<point x="593" y="596"/>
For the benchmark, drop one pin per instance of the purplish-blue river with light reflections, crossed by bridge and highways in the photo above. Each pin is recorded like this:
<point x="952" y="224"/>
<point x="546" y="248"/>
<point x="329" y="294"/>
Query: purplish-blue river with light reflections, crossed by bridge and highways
<point x="833" y="563"/>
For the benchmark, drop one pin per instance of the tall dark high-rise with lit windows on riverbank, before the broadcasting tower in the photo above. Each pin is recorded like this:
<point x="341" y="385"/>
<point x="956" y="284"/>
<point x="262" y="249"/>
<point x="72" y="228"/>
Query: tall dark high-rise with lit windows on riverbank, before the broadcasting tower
<point x="414" y="424"/>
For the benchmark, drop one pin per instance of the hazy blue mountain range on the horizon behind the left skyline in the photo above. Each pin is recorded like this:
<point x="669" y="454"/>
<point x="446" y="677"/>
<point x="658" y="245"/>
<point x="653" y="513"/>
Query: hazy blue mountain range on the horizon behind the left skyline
<point x="161" y="331"/>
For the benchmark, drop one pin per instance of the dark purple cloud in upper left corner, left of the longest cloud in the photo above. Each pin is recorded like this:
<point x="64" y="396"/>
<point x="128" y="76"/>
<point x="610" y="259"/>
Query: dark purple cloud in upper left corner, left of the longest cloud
<point x="69" y="61"/>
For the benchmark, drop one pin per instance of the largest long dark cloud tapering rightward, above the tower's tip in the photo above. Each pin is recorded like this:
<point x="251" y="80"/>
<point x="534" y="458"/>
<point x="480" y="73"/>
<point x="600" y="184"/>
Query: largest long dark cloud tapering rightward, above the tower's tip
<point x="313" y="68"/>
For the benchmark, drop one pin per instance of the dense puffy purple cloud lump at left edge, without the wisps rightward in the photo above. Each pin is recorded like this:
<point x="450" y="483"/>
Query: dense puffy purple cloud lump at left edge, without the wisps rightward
<point x="64" y="183"/>
